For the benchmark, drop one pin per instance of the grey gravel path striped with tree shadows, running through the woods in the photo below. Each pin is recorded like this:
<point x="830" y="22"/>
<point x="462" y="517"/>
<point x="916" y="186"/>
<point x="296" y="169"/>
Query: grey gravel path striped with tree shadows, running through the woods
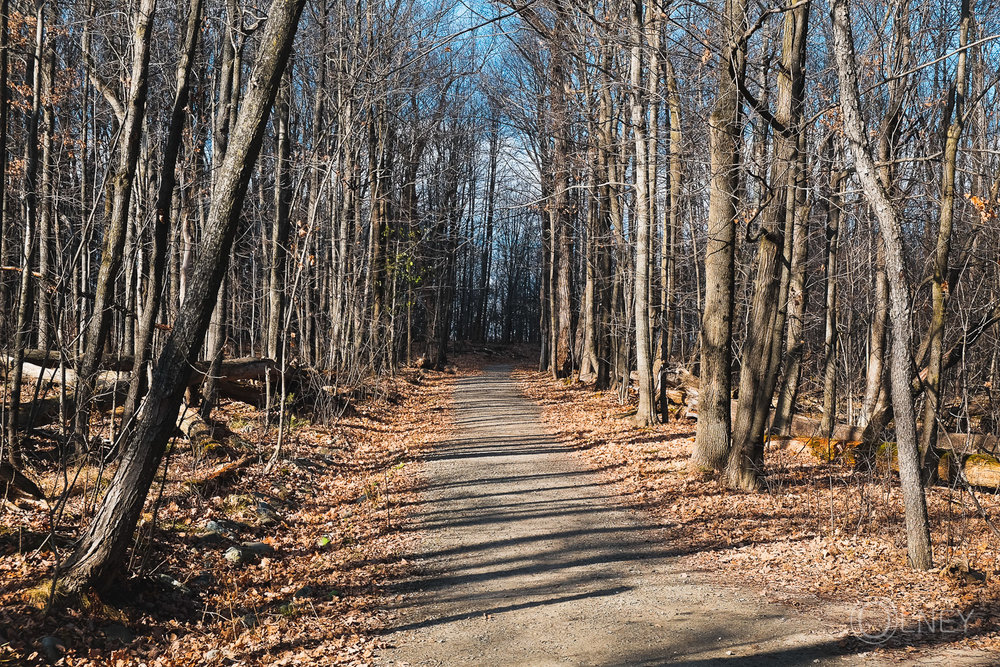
<point x="526" y="559"/>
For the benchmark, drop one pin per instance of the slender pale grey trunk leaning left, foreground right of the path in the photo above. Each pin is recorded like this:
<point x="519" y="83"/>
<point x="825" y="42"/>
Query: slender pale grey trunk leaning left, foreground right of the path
<point x="915" y="504"/>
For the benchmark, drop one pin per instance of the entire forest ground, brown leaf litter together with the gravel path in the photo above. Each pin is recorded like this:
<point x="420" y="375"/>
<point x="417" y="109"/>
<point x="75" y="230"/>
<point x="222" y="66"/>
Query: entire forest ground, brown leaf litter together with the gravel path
<point x="490" y="518"/>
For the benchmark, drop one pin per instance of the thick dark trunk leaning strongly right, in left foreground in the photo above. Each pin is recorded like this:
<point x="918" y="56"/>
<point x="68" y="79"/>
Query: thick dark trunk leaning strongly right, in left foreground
<point x="100" y="553"/>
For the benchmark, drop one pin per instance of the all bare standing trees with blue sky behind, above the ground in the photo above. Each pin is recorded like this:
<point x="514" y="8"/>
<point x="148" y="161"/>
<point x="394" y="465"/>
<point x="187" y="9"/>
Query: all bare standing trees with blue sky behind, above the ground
<point x="637" y="187"/>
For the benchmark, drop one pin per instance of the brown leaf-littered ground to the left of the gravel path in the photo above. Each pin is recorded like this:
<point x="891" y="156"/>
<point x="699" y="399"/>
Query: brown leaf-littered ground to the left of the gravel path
<point x="238" y="566"/>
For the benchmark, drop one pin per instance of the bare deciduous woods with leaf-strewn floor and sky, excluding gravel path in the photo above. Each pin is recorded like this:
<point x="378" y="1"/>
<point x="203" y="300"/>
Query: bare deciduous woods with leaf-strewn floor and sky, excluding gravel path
<point x="240" y="236"/>
